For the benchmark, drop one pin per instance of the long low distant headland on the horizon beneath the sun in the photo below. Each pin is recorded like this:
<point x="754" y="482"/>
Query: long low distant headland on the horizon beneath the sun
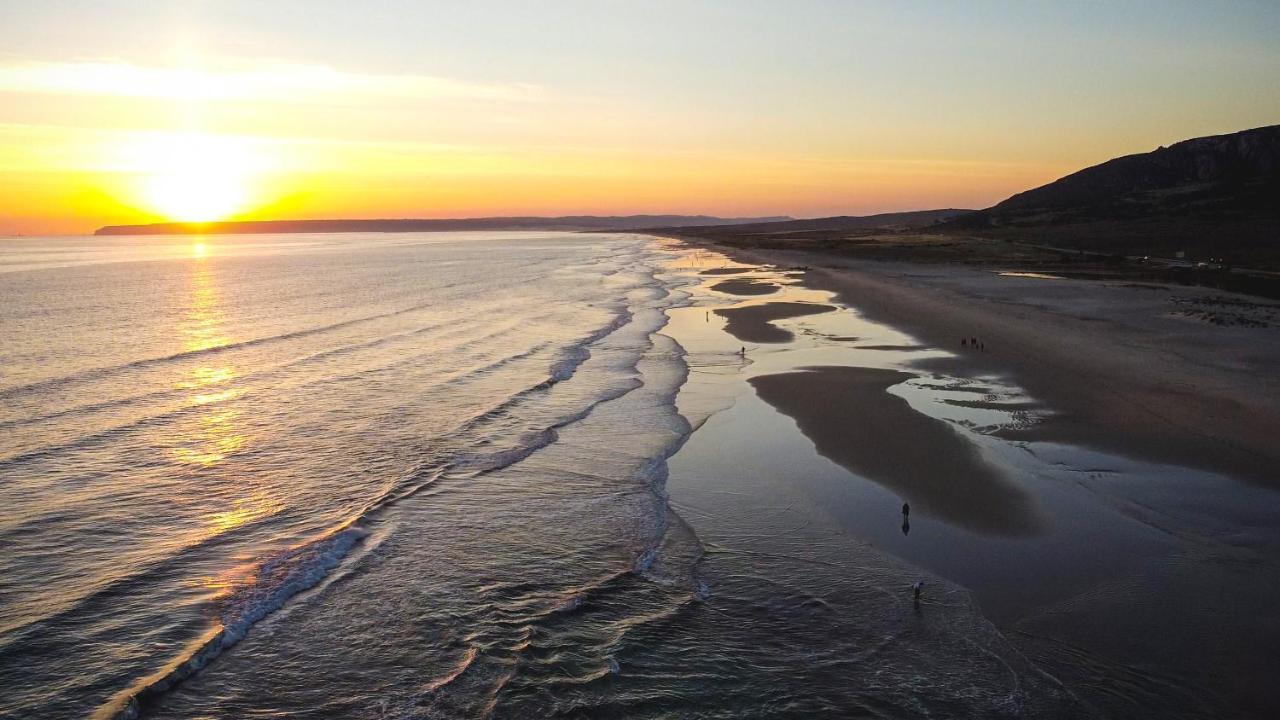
<point x="514" y="224"/>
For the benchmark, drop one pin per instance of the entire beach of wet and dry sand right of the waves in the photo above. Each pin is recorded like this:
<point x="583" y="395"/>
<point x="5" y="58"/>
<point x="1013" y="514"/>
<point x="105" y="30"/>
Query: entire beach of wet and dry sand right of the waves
<point x="1098" y="473"/>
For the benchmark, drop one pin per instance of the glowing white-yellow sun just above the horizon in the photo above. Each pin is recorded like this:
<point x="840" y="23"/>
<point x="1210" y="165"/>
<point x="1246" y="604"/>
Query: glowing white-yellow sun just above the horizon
<point x="195" y="177"/>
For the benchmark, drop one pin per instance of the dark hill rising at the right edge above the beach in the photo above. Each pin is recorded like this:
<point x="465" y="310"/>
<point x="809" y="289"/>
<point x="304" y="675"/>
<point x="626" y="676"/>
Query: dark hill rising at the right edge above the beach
<point x="1213" y="197"/>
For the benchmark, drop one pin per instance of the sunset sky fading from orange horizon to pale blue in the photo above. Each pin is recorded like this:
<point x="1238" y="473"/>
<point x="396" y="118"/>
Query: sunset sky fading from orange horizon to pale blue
<point x="136" y="111"/>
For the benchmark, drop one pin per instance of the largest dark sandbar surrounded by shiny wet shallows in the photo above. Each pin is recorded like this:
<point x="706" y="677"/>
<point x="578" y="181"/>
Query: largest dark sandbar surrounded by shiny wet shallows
<point x="852" y="420"/>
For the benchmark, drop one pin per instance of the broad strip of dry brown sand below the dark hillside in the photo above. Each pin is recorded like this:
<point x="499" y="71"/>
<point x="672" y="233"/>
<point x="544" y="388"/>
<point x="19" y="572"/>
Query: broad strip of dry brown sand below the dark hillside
<point x="1119" y="375"/>
